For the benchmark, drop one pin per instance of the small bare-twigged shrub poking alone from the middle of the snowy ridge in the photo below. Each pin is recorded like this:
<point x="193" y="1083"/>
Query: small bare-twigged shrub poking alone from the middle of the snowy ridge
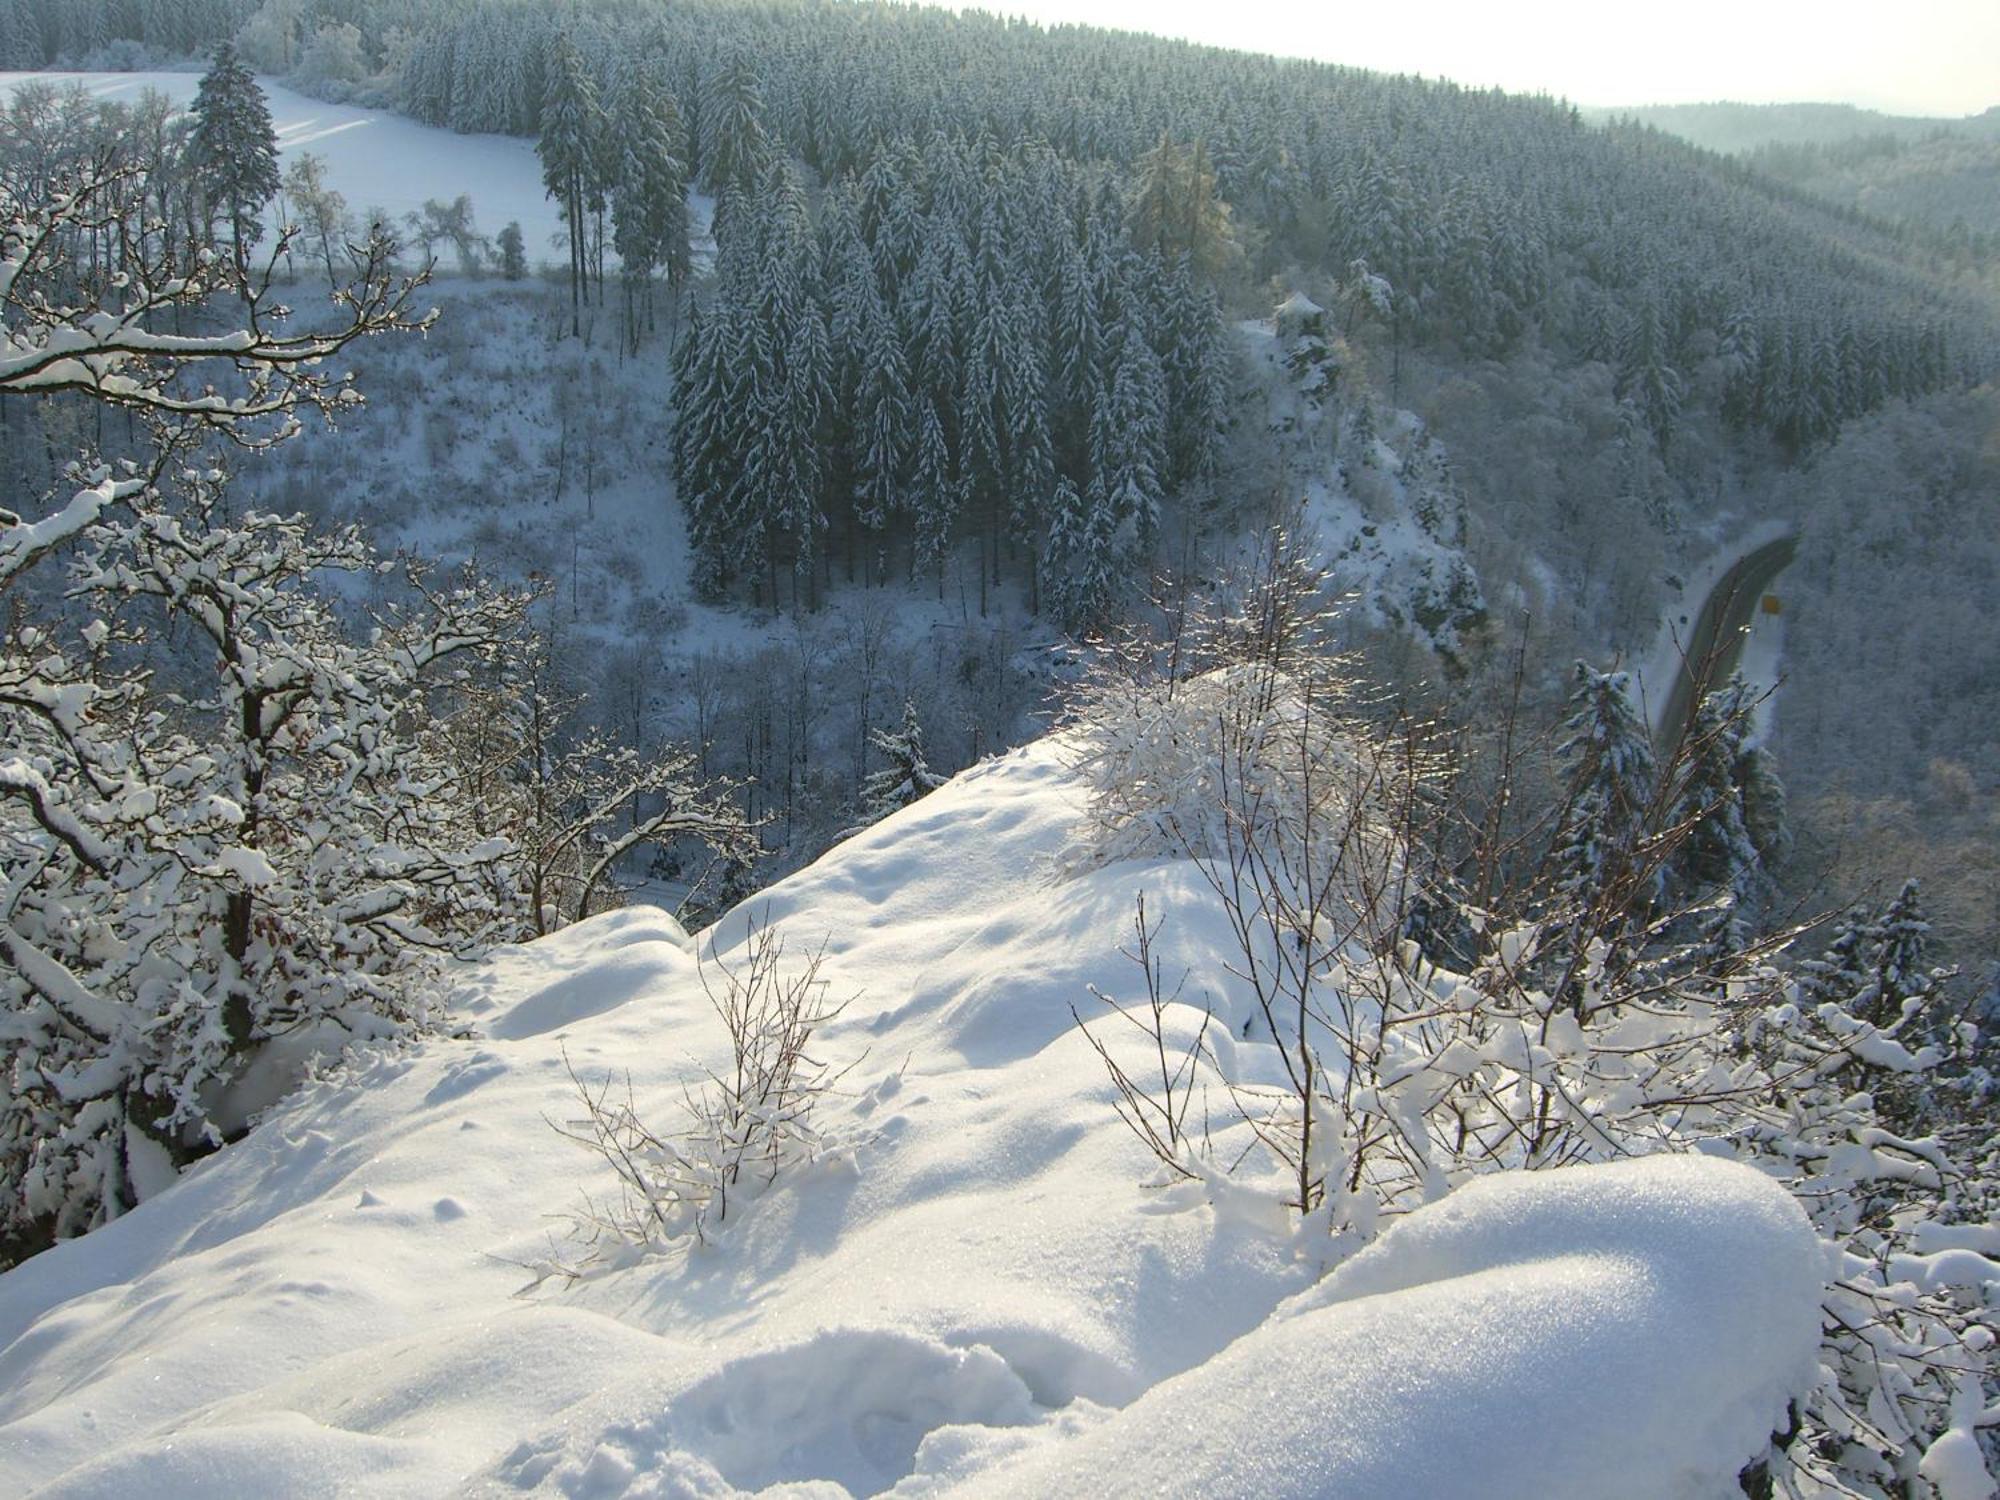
<point x="741" y="1129"/>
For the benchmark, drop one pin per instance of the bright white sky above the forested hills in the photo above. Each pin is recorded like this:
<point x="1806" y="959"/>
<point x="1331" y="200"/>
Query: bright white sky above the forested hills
<point x="1907" y="57"/>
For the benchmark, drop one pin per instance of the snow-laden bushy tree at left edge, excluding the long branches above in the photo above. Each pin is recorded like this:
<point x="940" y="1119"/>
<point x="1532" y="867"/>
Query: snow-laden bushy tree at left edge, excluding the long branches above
<point x="275" y="851"/>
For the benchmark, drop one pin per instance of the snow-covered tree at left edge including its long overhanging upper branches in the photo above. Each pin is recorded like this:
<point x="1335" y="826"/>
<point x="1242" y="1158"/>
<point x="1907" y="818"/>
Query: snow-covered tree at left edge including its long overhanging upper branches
<point x="173" y="895"/>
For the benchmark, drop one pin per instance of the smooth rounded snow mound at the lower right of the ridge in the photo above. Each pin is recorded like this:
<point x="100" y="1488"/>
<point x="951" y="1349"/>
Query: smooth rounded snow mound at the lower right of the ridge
<point x="1629" y="1329"/>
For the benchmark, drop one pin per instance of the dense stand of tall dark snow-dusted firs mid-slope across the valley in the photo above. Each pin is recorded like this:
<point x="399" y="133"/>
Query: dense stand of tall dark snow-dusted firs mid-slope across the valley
<point x="955" y="345"/>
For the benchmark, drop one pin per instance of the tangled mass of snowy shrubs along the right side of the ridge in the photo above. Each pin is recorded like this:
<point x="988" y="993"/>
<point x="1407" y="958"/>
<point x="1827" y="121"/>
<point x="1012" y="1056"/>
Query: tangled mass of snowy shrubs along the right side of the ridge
<point x="1449" y="999"/>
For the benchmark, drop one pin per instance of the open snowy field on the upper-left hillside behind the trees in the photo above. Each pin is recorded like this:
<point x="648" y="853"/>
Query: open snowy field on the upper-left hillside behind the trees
<point x="377" y="161"/>
